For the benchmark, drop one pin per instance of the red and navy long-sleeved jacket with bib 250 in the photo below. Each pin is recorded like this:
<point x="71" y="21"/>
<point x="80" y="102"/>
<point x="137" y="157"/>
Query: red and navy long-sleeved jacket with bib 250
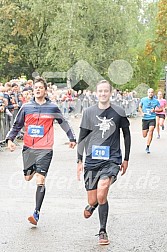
<point x="38" y="122"/>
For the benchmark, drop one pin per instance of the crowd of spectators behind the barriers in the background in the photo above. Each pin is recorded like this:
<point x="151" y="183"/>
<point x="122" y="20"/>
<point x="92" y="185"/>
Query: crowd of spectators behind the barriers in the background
<point x="15" y="93"/>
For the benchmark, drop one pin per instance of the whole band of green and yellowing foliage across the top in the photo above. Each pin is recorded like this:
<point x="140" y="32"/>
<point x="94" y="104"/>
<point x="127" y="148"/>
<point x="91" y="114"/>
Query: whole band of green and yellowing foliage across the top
<point x="52" y="36"/>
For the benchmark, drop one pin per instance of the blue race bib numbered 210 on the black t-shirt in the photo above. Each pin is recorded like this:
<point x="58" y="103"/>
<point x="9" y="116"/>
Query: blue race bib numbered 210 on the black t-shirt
<point x="100" y="152"/>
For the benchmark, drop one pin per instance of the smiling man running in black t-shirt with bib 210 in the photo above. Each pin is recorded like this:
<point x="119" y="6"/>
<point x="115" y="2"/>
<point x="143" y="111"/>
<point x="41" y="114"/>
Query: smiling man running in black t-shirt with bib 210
<point x="100" y="138"/>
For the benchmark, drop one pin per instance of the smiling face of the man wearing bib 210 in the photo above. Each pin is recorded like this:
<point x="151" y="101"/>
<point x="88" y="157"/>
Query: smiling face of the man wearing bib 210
<point x="103" y="92"/>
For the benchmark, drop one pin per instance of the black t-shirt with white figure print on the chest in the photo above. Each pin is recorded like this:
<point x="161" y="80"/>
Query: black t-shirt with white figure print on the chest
<point x="104" y="127"/>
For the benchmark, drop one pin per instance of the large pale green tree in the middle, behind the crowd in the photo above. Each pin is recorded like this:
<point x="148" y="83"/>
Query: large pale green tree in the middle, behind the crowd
<point x="94" y="31"/>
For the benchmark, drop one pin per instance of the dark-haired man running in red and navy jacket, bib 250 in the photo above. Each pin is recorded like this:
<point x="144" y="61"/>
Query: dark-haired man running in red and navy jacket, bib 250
<point x="37" y="117"/>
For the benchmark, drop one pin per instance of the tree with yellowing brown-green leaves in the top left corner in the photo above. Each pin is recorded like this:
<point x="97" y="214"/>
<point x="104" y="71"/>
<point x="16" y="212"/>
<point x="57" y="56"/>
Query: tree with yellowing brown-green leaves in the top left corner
<point x="24" y="38"/>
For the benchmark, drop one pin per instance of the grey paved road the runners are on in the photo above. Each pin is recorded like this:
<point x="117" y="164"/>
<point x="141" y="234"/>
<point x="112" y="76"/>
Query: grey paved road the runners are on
<point x="138" y="202"/>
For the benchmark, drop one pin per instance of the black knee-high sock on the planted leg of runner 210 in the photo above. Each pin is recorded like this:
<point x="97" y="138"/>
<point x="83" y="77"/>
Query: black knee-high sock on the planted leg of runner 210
<point x="103" y="215"/>
